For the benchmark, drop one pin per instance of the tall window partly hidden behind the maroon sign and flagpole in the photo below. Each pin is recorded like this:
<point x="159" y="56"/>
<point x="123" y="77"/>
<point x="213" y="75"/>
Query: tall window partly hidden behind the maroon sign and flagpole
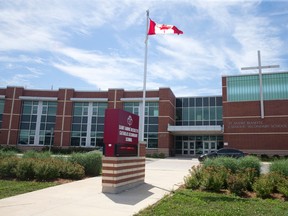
<point x="151" y="120"/>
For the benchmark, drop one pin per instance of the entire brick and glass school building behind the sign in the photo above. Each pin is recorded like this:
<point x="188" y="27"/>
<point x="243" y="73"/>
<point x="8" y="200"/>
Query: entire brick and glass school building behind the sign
<point x="175" y="126"/>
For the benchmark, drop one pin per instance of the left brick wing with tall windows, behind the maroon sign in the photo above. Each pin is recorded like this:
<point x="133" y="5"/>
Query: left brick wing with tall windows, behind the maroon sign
<point x="76" y="118"/>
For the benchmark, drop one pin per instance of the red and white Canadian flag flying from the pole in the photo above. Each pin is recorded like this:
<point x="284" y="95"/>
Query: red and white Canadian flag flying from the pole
<point x="155" y="28"/>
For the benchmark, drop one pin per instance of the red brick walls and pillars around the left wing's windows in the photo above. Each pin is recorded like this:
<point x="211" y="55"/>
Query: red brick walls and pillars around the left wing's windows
<point x="62" y="132"/>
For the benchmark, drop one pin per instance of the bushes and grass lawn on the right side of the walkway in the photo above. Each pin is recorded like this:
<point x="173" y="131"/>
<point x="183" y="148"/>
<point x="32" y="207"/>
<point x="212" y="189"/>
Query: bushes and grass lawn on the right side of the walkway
<point x="228" y="186"/>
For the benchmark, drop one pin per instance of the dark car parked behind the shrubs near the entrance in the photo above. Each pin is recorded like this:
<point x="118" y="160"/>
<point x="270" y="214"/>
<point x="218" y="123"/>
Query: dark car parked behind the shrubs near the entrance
<point x="226" y="152"/>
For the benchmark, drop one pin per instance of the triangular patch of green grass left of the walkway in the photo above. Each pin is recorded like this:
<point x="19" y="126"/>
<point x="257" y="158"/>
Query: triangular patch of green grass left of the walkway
<point x="12" y="188"/>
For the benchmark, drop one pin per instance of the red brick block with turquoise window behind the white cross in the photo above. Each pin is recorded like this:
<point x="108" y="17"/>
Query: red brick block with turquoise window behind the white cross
<point x="245" y="127"/>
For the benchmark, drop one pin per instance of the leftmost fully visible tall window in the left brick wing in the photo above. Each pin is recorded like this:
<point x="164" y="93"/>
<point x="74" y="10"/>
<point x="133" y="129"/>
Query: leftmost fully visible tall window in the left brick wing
<point x="37" y="122"/>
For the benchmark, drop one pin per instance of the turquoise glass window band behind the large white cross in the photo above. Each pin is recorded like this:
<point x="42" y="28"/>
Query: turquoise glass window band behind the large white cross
<point x="247" y="88"/>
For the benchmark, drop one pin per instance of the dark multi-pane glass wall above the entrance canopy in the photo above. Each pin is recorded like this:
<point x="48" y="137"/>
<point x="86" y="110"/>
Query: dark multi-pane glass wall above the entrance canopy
<point x="199" y="111"/>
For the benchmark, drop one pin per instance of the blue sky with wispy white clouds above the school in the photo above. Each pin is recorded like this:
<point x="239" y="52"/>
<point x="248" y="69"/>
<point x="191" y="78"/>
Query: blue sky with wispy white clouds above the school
<point x="92" y="45"/>
